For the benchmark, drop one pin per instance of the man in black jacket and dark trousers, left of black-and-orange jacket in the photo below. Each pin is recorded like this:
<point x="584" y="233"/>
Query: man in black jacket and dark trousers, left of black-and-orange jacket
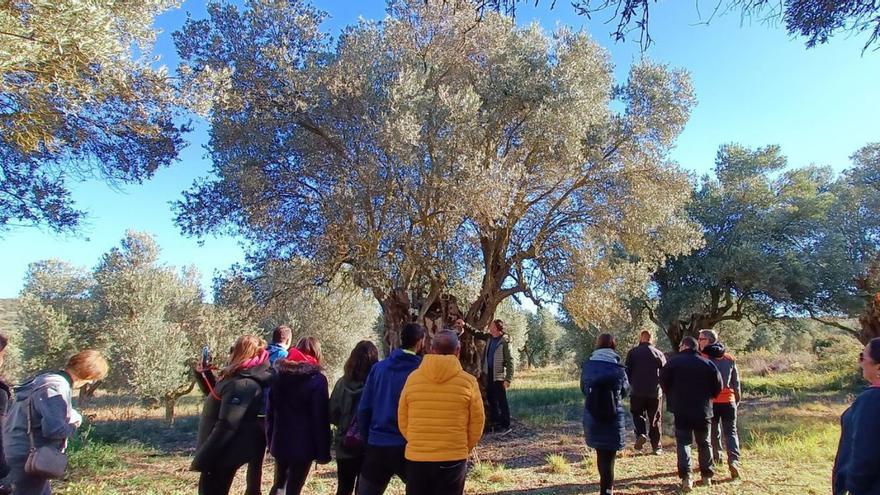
<point x="691" y="382"/>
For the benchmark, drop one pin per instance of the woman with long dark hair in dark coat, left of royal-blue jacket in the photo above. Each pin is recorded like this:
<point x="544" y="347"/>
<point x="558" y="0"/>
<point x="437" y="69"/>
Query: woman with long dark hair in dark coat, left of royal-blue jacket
<point x="347" y="443"/>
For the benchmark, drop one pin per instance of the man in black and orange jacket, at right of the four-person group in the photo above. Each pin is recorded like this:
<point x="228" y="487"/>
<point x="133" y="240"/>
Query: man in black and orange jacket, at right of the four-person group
<point x="724" y="406"/>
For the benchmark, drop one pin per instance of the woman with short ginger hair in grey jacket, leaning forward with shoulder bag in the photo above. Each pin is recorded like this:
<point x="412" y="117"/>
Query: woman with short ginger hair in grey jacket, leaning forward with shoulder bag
<point x="47" y="399"/>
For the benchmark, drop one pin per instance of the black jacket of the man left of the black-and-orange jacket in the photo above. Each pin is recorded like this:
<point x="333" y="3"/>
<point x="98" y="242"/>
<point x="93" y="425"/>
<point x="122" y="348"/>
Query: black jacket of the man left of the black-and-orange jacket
<point x="690" y="382"/>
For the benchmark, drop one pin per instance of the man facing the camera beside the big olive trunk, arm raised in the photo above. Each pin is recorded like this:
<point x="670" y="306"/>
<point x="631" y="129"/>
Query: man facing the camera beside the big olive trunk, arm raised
<point x="498" y="373"/>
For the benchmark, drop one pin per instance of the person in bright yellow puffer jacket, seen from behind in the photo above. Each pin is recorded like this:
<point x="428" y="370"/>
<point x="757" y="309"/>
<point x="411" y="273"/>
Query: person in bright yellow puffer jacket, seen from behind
<point x="441" y="415"/>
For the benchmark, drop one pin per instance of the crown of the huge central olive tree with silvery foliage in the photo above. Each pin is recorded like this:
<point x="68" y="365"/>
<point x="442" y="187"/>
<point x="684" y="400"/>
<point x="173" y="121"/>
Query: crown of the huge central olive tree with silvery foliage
<point x="419" y="147"/>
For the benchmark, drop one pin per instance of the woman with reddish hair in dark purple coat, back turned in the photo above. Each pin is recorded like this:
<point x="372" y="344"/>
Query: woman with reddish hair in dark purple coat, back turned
<point x="298" y="418"/>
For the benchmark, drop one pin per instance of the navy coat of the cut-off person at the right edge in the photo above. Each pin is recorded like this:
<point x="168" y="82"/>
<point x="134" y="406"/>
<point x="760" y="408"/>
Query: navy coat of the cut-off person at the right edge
<point x="857" y="466"/>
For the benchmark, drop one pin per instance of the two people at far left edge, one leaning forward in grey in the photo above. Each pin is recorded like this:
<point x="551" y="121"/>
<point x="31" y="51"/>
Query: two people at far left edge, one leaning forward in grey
<point x="38" y="419"/>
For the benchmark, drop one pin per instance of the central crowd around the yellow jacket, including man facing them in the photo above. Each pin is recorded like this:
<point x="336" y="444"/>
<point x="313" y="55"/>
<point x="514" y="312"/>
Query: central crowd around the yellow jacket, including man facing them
<point x="417" y="414"/>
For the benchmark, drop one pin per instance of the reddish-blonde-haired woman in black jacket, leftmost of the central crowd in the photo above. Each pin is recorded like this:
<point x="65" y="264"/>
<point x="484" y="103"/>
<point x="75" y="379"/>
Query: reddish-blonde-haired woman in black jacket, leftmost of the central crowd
<point x="230" y="431"/>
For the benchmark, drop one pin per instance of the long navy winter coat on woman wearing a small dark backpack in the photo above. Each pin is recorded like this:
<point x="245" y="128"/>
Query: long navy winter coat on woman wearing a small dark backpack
<point x="603" y="381"/>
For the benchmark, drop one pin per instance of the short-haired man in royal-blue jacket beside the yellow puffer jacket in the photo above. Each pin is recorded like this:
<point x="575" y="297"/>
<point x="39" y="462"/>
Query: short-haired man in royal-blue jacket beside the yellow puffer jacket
<point x="377" y="413"/>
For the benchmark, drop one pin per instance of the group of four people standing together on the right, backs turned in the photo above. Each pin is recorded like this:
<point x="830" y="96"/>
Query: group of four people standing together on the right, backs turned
<point x="702" y="389"/>
